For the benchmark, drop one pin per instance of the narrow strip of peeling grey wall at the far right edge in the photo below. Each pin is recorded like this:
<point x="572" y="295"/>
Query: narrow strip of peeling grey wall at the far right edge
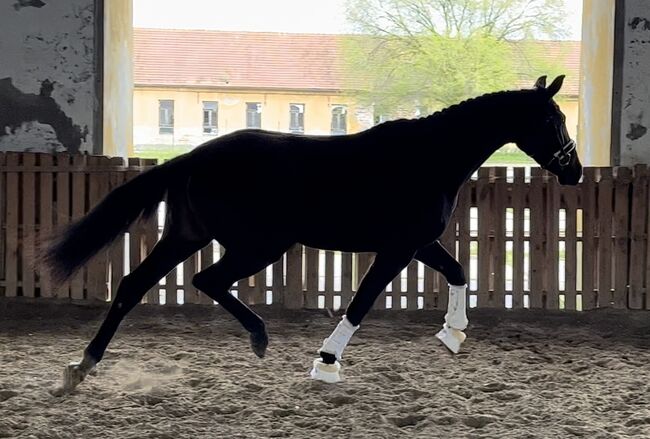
<point x="634" y="86"/>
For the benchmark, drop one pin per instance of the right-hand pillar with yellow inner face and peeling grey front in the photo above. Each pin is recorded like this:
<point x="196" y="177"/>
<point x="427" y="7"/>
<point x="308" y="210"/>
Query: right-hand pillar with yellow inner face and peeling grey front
<point x="614" y="91"/>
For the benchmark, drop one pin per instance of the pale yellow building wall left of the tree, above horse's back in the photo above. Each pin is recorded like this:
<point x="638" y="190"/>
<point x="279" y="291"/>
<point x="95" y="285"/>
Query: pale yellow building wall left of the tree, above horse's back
<point x="231" y="116"/>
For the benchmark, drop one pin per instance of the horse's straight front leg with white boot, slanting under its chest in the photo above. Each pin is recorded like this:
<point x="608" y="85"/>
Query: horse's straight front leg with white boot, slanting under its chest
<point x="384" y="268"/>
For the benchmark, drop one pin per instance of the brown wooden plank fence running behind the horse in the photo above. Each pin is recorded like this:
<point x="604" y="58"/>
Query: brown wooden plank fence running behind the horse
<point x="524" y="241"/>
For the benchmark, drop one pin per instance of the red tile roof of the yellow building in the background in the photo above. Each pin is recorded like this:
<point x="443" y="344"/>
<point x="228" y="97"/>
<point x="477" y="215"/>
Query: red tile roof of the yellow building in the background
<point x="265" y="60"/>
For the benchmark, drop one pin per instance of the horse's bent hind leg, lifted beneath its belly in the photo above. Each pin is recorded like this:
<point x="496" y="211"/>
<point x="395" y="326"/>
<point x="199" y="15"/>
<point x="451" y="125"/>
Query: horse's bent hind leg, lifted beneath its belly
<point x="237" y="264"/>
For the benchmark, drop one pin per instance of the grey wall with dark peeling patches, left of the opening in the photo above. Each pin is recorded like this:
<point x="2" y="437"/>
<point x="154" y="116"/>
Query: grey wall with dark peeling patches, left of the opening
<point x="48" y="75"/>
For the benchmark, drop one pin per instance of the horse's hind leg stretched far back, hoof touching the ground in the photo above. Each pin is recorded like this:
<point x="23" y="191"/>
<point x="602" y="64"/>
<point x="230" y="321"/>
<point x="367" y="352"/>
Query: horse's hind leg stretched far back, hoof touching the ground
<point x="169" y="252"/>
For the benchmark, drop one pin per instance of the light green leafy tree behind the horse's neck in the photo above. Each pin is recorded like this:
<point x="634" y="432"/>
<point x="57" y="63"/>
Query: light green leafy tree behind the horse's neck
<point x="433" y="53"/>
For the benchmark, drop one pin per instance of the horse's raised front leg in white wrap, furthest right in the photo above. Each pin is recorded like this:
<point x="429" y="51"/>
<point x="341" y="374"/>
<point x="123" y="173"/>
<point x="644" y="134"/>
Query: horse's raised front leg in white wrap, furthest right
<point x="438" y="258"/>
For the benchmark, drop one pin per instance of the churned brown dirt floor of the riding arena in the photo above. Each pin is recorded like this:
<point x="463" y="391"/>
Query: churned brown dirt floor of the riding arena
<point x="188" y="372"/>
